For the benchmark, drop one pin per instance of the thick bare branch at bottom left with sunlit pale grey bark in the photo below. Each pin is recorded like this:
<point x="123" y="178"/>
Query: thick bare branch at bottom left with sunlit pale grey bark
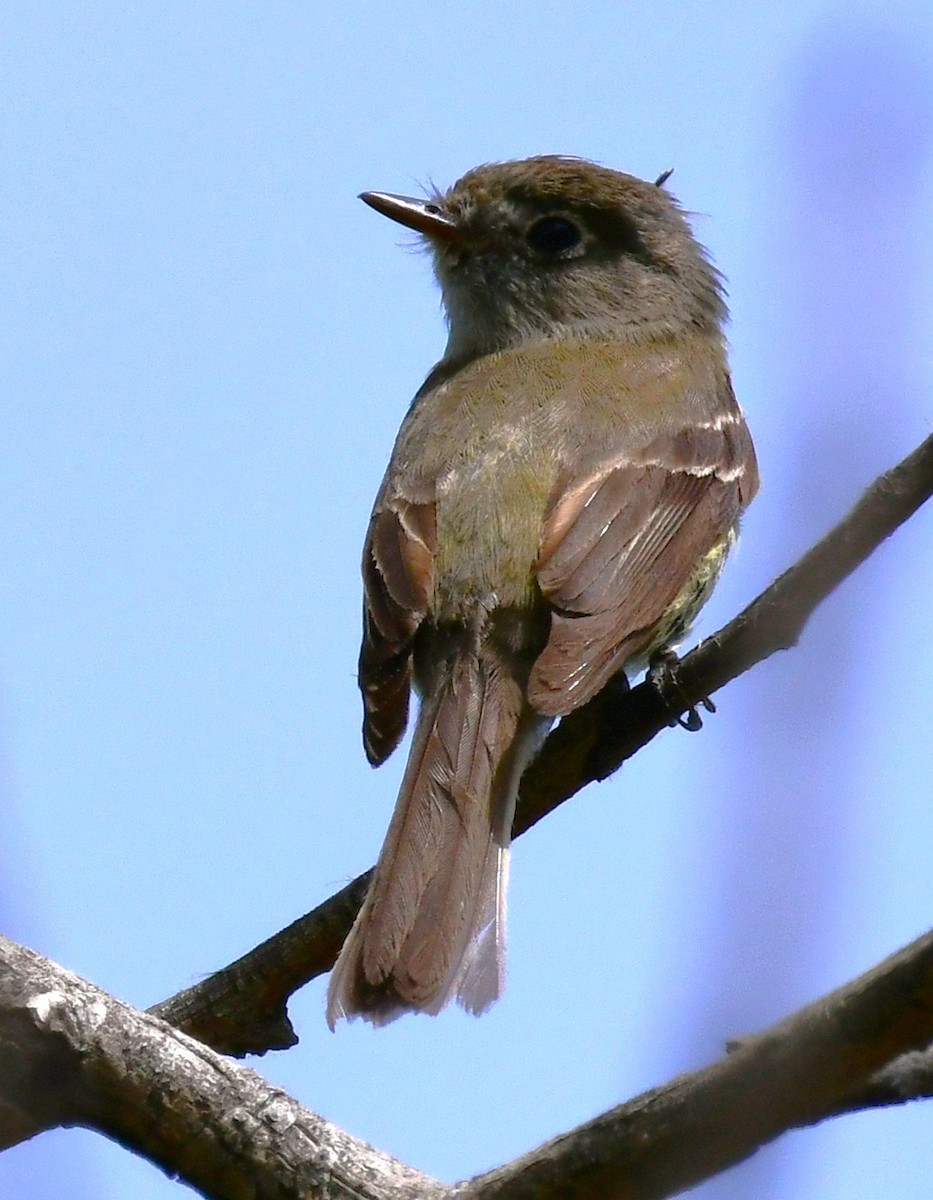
<point x="70" y="1054"/>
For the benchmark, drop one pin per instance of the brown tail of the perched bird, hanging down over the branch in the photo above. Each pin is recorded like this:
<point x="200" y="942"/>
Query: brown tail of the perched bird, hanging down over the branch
<point x="434" y="923"/>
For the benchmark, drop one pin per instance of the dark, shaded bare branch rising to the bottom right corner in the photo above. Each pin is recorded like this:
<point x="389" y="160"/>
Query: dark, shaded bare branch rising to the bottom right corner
<point x="810" y="1067"/>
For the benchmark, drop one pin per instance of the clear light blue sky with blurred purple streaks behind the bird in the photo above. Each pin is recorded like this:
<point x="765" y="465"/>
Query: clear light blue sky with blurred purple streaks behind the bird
<point x="208" y="345"/>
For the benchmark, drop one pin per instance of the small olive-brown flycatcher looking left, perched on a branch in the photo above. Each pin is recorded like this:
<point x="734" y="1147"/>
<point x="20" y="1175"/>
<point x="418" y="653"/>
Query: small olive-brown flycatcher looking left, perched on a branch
<point x="559" y="503"/>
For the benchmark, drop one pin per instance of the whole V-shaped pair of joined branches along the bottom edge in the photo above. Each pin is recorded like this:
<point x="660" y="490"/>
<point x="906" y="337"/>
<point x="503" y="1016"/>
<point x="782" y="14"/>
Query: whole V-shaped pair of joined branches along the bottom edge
<point x="70" y="1054"/>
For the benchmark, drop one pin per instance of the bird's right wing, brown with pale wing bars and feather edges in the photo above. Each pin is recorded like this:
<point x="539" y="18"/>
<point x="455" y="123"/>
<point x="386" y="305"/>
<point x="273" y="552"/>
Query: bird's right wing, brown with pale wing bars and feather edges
<point x="631" y="536"/>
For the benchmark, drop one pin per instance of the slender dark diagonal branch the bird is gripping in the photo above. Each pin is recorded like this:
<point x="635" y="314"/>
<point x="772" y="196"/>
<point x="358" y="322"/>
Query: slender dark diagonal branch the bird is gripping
<point x="243" y="1009"/>
